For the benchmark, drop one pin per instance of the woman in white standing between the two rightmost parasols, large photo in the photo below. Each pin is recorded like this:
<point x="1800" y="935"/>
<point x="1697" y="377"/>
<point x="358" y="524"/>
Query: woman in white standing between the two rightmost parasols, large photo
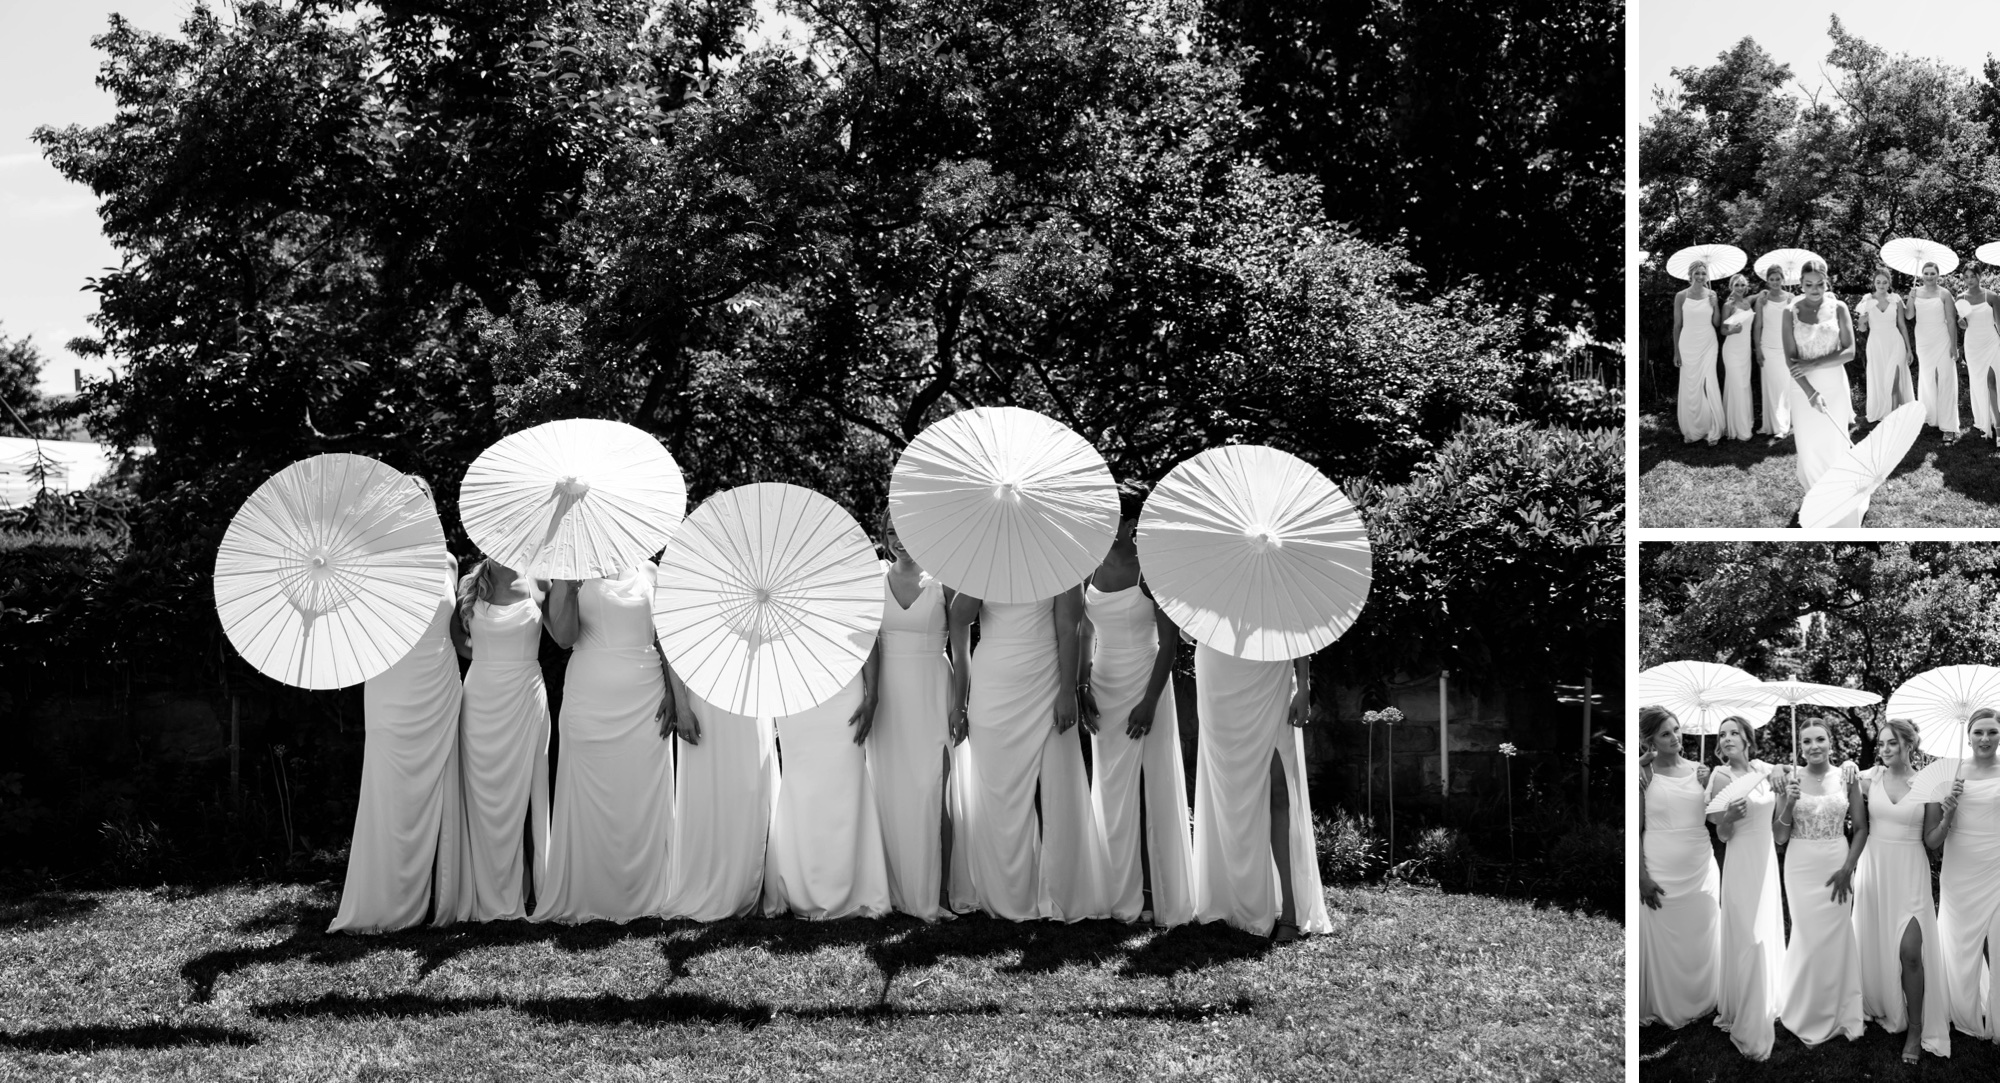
<point x="1127" y="664"/>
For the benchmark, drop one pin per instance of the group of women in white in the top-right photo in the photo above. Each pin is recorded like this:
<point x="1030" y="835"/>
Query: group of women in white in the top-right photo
<point x="1799" y="347"/>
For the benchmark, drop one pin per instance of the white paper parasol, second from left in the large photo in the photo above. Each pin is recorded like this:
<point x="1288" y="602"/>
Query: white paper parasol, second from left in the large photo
<point x="573" y="501"/>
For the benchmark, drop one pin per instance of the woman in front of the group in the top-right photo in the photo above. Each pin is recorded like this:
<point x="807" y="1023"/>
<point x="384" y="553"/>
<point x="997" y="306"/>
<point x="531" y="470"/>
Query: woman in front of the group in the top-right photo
<point x="1819" y="343"/>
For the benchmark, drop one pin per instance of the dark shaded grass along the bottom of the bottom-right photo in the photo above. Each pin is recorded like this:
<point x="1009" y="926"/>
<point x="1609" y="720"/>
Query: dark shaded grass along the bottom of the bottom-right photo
<point x="1703" y="1052"/>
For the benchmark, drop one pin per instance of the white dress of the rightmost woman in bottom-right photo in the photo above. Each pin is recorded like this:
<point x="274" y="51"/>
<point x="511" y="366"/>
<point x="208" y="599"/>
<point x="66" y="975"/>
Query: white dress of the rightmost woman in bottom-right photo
<point x="1969" y="908"/>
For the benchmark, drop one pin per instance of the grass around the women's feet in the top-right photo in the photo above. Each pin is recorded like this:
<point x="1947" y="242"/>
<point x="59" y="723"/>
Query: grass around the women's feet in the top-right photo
<point x="1755" y="485"/>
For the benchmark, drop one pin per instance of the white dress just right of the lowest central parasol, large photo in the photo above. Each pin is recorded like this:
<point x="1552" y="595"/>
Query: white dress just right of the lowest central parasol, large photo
<point x="907" y="746"/>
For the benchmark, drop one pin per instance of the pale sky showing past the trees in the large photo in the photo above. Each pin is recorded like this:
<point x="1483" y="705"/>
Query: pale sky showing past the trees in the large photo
<point x="49" y="227"/>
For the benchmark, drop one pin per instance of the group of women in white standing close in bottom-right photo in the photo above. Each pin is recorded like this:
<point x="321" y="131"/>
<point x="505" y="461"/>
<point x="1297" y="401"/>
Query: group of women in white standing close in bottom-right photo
<point x="1869" y="944"/>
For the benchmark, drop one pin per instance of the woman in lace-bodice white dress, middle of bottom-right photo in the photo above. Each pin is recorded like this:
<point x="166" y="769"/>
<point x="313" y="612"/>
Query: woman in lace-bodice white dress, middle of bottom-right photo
<point x="1821" y="988"/>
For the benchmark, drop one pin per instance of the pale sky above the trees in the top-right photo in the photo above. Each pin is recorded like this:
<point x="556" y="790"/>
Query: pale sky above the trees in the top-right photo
<point x="1693" y="33"/>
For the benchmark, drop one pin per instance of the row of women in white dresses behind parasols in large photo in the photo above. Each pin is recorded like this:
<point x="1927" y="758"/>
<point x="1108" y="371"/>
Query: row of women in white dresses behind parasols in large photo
<point x="947" y="778"/>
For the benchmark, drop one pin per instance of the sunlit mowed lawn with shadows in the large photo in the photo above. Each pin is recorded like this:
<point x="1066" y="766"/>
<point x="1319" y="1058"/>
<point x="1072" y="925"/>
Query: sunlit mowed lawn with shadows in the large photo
<point x="245" y="984"/>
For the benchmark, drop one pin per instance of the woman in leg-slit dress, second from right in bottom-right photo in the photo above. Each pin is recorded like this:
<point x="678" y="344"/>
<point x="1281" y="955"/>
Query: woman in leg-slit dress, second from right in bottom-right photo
<point x="1895" y="918"/>
